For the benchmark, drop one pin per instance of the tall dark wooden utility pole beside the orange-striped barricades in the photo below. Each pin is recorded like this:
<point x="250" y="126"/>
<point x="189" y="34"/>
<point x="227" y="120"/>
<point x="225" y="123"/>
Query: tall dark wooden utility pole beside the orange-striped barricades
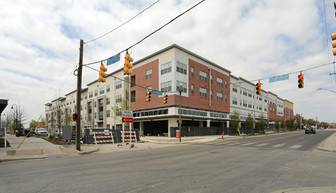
<point x="79" y="93"/>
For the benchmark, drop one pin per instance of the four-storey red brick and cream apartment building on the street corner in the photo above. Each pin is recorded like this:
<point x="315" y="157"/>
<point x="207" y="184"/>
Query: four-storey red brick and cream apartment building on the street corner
<point x="210" y="94"/>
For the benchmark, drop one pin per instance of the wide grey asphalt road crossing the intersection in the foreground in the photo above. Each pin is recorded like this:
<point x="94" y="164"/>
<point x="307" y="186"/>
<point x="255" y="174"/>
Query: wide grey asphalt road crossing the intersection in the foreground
<point x="207" y="167"/>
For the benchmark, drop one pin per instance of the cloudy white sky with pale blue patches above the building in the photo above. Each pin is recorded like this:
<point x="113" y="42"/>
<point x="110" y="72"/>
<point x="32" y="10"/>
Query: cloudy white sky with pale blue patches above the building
<point x="254" y="39"/>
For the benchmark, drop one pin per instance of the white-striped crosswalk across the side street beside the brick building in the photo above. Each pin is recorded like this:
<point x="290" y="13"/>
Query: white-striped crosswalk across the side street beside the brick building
<point x="254" y="144"/>
